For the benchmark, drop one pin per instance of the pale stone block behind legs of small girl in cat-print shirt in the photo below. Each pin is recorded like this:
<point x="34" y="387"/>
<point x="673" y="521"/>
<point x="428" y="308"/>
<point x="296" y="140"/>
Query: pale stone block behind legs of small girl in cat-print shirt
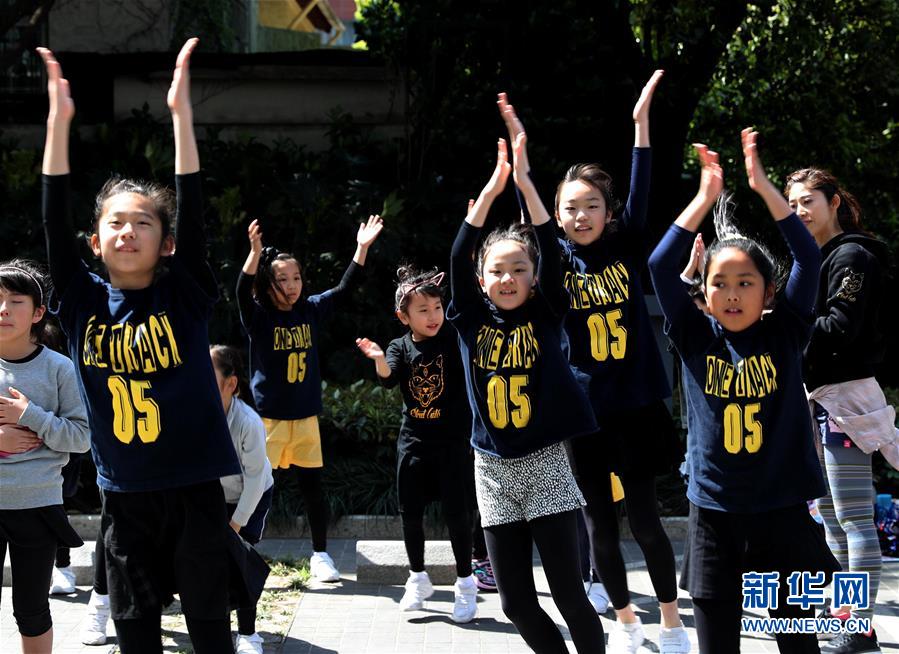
<point x="385" y="562"/>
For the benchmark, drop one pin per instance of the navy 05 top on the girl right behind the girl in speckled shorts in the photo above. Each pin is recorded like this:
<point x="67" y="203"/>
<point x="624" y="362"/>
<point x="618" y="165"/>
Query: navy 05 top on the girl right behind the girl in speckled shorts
<point x="612" y="348"/>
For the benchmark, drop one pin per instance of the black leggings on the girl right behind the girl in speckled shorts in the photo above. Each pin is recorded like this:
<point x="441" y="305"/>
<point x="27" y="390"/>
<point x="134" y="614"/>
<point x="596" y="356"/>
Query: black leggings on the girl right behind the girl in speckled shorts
<point x="601" y="517"/>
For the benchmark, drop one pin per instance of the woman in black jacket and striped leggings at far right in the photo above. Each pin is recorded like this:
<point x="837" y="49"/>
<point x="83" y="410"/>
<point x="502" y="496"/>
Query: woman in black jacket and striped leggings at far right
<point x="846" y="400"/>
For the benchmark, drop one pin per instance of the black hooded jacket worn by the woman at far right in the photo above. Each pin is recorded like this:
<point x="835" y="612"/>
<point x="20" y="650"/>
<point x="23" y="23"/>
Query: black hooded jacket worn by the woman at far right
<point x="848" y="339"/>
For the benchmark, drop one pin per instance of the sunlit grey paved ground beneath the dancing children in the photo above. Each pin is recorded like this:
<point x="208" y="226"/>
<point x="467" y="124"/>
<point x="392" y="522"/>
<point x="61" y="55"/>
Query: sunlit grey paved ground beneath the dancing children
<point x="353" y="618"/>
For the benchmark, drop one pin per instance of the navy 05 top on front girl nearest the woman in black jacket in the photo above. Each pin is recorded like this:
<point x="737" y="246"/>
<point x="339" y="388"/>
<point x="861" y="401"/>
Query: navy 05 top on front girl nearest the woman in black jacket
<point x="750" y="435"/>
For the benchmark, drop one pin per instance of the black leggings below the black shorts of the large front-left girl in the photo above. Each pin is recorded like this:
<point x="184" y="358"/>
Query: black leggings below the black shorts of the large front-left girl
<point x="144" y="635"/>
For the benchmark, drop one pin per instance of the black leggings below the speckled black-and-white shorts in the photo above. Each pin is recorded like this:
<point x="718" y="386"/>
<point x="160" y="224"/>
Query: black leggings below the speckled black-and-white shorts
<point x="511" y="549"/>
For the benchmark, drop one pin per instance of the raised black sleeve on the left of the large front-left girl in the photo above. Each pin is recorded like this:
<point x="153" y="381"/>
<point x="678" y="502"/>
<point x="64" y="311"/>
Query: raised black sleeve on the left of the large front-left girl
<point x="59" y="232"/>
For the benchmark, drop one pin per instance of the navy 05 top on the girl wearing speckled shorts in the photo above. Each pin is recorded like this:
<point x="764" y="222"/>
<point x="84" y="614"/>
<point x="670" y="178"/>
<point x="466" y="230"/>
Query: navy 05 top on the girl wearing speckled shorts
<point x="521" y="389"/>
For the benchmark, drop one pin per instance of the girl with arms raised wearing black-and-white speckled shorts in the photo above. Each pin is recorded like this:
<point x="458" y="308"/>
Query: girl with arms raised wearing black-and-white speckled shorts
<point x="508" y="305"/>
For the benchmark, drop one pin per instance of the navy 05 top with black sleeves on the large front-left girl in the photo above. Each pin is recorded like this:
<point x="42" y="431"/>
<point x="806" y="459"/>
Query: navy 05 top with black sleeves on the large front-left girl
<point x="145" y="374"/>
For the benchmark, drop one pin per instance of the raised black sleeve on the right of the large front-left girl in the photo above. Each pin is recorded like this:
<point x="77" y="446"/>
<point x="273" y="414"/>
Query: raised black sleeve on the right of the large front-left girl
<point x="190" y="236"/>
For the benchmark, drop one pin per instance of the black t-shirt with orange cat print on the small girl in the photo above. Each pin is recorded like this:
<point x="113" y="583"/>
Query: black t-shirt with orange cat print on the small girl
<point x="432" y="381"/>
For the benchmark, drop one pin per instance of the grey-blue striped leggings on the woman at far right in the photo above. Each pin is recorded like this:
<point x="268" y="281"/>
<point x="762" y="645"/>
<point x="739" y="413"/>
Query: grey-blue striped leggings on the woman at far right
<point x="848" y="513"/>
